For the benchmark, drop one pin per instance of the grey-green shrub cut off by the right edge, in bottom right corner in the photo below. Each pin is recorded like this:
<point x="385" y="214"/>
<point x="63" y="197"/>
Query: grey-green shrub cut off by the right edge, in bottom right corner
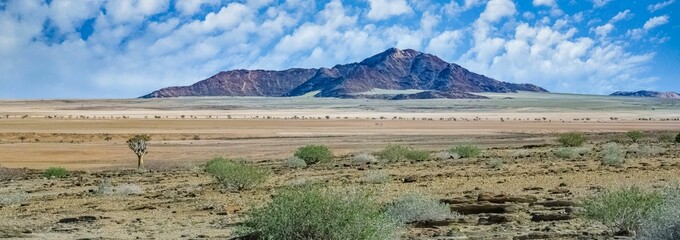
<point x="663" y="223"/>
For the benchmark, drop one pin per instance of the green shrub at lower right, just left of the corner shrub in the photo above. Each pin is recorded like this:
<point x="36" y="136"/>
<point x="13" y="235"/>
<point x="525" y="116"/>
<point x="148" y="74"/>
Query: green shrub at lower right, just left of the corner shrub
<point x="622" y="210"/>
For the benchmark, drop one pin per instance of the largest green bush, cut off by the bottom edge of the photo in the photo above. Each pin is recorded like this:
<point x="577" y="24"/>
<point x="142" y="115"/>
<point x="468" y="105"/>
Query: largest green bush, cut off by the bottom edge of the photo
<point x="312" y="213"/>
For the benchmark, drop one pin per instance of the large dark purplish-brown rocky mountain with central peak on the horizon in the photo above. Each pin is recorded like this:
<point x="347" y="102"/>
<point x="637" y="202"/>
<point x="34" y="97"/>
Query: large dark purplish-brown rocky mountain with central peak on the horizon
<point x="394" y="69"/>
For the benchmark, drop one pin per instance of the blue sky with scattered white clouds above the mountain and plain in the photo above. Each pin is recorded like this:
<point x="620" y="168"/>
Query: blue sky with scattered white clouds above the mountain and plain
<point x="127" y="48"/>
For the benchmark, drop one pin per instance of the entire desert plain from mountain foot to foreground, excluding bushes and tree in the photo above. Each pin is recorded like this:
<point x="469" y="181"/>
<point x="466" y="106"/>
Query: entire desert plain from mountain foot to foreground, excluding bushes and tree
<point x="516" y="189"/>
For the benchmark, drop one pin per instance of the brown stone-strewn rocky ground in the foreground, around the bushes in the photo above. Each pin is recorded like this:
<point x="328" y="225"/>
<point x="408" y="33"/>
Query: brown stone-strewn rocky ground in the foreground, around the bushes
<point x="523" y="192"/>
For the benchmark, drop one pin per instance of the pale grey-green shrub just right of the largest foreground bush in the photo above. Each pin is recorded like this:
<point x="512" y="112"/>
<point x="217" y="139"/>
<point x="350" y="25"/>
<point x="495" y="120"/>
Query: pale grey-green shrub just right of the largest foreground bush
<point x="415" y="207"/>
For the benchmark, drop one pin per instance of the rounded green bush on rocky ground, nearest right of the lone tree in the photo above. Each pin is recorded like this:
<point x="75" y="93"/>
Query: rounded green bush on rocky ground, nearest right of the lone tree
<point x="235" y="175"/>
